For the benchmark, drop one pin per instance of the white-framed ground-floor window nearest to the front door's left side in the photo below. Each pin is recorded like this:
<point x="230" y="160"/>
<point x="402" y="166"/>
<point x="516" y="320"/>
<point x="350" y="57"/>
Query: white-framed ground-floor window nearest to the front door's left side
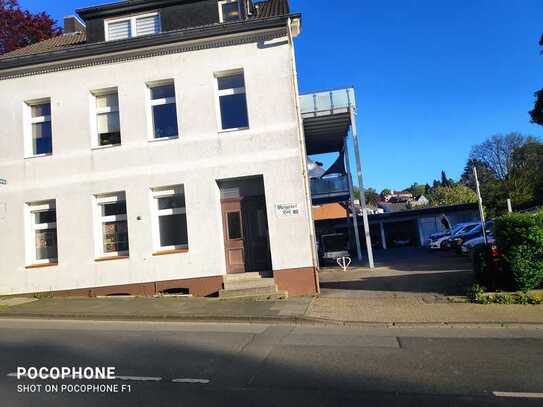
<point x="169" y="218"/>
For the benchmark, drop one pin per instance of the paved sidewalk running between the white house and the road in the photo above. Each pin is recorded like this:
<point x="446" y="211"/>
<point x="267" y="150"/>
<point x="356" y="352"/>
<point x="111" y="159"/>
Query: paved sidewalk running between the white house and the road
<point x="401" y="311"/>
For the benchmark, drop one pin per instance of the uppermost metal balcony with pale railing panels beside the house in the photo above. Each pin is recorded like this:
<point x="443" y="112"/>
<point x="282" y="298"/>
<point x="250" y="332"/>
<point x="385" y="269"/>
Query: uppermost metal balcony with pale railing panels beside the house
<point x="327" y="119"/>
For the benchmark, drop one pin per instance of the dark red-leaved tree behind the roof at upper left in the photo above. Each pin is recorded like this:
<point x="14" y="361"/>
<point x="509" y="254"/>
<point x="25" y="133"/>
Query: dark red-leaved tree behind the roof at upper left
<point x="19" y="28"/>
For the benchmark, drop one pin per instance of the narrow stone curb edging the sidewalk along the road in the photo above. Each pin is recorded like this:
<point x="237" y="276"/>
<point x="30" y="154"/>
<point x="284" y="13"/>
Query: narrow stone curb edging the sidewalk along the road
<point x="301" y="320"/>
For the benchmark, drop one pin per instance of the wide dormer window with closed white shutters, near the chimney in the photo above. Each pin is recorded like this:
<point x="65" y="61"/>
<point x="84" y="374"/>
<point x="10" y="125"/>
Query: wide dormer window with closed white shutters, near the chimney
<point x="133" y="26"/>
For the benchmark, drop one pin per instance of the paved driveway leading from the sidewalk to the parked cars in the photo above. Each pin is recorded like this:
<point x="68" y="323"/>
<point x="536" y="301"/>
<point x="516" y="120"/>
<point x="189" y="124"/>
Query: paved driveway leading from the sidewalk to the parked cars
<point x="402" y="272"/>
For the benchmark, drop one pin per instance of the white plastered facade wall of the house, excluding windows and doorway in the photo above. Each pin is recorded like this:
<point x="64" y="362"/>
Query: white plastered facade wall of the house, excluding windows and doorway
<point x="201" y="155"/>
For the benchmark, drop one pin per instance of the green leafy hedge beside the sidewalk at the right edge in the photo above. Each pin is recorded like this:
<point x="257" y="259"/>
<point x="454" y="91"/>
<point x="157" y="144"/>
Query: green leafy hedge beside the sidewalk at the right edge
<point x="519" y="238"/>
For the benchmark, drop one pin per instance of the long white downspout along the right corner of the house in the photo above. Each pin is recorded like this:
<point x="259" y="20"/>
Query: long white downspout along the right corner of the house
<point x="303" y="158"/>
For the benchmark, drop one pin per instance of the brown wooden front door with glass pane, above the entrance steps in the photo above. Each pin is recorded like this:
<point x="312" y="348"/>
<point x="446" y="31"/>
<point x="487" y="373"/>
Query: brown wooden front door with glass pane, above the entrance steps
<point x="233" y="236"/>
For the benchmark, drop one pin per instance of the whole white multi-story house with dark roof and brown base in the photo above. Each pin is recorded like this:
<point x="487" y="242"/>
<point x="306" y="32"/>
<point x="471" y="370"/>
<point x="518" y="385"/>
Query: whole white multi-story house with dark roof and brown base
<point x="156" y="145"/>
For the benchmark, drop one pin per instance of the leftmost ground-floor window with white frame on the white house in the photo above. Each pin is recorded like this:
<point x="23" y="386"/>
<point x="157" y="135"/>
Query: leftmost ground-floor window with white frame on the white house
<point x="42" y="233"/>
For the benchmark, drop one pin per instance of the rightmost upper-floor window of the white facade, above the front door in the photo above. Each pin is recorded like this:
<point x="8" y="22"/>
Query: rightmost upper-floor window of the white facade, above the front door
<point x="232" y="102"/>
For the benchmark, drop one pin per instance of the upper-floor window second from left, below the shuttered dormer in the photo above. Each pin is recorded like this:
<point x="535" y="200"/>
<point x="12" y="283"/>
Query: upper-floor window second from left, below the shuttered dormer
<point x="108" y="126"/>
